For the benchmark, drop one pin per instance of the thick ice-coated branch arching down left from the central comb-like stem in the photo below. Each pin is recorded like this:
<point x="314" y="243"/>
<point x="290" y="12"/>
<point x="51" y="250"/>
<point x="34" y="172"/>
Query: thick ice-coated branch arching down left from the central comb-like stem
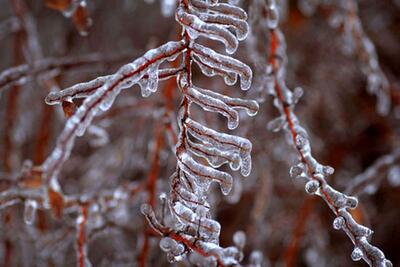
<point x="125" y="77"/>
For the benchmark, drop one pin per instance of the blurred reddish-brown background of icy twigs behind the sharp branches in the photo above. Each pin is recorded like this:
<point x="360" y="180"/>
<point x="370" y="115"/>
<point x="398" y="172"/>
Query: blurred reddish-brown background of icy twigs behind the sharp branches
<point x="280" y="220"/>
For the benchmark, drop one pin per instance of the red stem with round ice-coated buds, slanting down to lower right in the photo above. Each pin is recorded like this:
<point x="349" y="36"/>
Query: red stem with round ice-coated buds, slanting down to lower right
<point x="308" y="167"/>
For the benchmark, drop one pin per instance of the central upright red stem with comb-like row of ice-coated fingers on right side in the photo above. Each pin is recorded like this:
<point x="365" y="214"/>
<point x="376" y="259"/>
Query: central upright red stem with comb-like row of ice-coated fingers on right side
<point x="193" y="228"/>
